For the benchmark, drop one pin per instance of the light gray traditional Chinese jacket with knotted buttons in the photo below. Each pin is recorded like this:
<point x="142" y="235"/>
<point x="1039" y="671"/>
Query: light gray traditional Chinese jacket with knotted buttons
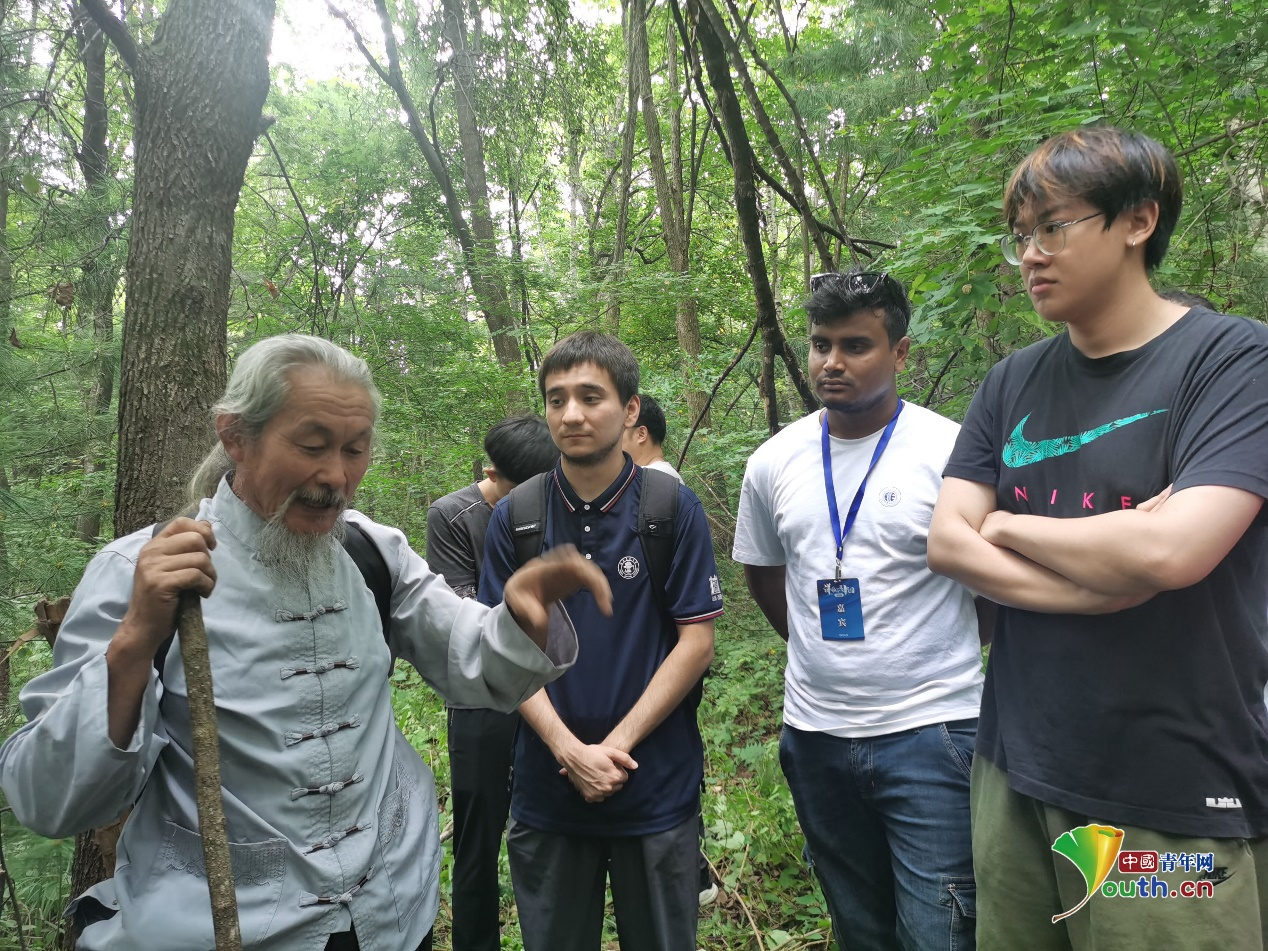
<point x="332" y="815"/>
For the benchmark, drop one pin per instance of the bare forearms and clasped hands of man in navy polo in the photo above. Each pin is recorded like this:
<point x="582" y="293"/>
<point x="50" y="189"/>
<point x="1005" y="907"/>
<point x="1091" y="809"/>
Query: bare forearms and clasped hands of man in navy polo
<point x="599" y="770"/>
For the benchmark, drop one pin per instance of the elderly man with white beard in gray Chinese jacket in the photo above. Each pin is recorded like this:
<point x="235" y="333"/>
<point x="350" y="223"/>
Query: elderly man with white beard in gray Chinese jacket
<point x="332" y="816"/>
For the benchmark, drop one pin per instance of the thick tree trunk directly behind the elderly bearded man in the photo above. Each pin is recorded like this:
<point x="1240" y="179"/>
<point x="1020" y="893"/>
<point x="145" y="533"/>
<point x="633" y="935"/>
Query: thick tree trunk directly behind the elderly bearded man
<point x="200" y="93"/>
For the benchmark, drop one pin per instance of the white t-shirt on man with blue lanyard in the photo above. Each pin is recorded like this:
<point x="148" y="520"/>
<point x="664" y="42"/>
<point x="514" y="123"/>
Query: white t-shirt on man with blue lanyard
<point x="920" y="660"/>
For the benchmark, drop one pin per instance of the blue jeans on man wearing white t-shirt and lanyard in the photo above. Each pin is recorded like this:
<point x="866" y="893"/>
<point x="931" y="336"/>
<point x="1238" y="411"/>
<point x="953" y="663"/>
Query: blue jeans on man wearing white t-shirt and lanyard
<point x="887" y="827"/>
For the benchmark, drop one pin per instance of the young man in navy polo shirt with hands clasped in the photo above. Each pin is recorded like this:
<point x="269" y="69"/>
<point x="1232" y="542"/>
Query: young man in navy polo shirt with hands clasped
<point x="608" y="779"/>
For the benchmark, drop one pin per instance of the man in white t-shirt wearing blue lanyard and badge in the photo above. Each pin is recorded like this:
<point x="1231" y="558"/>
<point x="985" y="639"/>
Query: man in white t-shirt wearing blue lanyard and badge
<point x="884" y="668"/>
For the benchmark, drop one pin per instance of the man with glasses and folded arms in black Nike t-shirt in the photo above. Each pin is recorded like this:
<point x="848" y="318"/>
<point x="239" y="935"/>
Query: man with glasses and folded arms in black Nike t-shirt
<point x="1108" y="490"/>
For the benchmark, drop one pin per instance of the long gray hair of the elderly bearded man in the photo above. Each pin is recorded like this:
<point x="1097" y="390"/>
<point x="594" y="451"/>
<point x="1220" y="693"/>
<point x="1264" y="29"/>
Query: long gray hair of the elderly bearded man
<point x="261" y="386"/>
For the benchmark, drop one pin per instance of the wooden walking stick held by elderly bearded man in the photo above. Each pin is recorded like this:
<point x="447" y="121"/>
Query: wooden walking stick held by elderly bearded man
<point x="207" y="772"/>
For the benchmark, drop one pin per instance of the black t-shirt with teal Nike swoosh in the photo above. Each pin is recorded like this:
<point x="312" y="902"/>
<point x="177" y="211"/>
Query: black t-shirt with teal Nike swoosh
<point x="1155" y="717"/>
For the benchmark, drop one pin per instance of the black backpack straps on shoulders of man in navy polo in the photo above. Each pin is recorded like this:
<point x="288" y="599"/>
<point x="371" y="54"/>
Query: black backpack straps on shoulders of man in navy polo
<point x="657" y="515"/>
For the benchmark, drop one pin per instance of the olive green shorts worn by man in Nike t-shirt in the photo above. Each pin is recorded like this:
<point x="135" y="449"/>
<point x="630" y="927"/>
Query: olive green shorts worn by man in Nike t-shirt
<point x="1200" y="893"/>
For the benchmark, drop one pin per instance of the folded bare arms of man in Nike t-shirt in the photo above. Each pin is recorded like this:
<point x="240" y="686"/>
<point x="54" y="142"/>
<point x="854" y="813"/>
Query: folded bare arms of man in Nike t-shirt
<point x="1099" y="565"/>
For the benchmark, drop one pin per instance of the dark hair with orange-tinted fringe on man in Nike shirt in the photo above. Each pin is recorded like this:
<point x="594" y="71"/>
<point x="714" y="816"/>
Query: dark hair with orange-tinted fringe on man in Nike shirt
<point x="1111" y="169"/>
